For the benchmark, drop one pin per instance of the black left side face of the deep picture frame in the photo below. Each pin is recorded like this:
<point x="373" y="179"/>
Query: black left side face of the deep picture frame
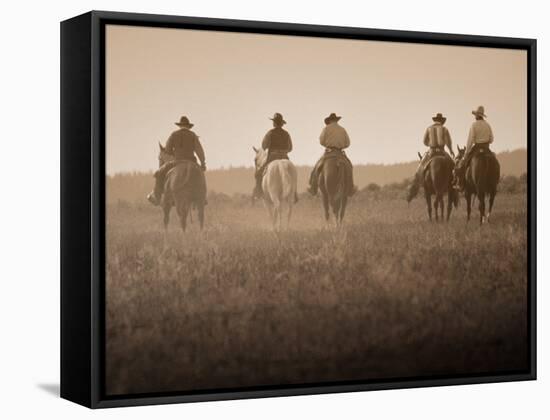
<point x="75" y="127"/>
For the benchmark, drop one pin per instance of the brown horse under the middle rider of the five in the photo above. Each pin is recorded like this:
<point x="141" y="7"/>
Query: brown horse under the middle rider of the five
<point x="334" y="186"/>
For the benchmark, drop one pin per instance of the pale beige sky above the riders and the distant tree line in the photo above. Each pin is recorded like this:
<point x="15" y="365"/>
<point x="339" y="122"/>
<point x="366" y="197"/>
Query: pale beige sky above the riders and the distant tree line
<point x="230" y="84"/>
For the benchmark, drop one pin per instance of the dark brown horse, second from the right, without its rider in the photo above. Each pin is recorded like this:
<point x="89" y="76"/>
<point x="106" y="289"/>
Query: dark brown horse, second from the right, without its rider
<point x="438" y="180"/>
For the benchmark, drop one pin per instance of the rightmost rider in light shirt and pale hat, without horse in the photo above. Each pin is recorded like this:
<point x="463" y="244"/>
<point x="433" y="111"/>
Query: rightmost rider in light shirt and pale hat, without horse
<point x="480" y="135"/>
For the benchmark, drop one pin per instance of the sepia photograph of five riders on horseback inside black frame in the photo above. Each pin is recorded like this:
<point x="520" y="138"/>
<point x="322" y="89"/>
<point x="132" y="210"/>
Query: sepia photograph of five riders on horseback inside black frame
<point x="295" y="210"/>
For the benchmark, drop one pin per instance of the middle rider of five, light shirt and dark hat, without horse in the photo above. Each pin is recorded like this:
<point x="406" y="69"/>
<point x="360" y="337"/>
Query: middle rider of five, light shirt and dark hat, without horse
<point x="335" y="139"/>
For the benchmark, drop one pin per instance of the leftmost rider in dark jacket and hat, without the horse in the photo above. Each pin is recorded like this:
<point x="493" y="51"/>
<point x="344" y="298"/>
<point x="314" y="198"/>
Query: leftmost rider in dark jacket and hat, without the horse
<point x="183" y="144"/>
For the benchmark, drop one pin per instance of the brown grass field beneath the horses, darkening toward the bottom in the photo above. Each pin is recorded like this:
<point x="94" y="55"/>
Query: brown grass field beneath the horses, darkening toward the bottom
<point x="389" y="296"/>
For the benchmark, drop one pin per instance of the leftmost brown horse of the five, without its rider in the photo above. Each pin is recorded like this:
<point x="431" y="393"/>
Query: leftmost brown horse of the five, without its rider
<point x="184" y="189"/>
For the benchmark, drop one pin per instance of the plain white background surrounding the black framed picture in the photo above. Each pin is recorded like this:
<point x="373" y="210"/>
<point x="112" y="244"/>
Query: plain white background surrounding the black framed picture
<point x="29" y="213"/>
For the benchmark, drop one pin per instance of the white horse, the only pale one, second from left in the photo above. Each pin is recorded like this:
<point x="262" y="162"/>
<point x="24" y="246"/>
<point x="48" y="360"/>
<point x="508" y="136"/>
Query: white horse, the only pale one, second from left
<point x="279" y="187"/>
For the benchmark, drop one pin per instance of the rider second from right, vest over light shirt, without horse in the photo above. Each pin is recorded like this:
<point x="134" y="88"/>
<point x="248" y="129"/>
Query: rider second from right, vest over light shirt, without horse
<point x="436" y="138"/>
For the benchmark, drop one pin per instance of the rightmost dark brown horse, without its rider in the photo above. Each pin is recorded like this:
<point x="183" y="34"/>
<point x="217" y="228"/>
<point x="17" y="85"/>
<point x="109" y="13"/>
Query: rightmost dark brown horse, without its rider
<point x="481" y="179"/>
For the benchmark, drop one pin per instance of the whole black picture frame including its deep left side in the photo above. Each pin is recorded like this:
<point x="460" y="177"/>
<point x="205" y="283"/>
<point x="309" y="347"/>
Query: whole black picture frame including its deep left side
<point x="83" y="204"/>
